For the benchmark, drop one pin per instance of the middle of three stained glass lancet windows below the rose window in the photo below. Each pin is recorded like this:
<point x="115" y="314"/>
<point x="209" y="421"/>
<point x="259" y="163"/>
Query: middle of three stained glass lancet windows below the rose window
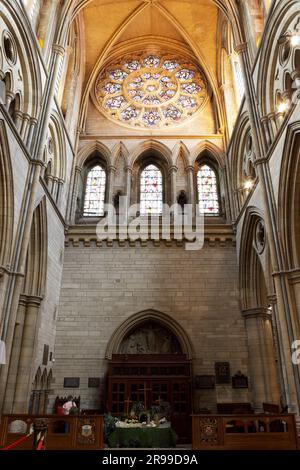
<point x="151" y="188"/>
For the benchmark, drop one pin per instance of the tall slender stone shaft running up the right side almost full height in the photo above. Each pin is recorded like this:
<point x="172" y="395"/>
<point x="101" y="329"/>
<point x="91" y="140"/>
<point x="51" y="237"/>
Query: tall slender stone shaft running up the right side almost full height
<point x="286" y="321"/>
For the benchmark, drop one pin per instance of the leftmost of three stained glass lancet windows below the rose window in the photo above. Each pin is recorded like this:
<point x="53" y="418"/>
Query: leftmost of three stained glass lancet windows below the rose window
<point x="95" y="192"/>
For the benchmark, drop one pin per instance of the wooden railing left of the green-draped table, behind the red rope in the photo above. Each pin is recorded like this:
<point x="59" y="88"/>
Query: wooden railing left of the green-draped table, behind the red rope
<point x="63" y="432"/>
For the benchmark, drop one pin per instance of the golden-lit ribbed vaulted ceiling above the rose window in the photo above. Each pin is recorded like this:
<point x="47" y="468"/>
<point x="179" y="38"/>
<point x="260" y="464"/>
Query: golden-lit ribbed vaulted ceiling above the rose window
<point x="107" y="23"/>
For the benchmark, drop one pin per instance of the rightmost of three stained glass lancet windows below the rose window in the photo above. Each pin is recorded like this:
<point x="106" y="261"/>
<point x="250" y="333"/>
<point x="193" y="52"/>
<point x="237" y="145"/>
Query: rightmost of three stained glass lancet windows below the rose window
<point x="208" y="191"/>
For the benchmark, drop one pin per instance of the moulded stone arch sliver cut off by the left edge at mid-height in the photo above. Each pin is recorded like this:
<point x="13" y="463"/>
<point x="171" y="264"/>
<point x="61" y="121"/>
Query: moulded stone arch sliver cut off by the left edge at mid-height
<point x="6" y="199"/>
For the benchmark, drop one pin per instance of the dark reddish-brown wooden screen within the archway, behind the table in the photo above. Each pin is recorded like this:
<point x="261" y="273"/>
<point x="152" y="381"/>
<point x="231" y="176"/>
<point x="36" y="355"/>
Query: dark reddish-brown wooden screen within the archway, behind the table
<point x="152" y="379"/>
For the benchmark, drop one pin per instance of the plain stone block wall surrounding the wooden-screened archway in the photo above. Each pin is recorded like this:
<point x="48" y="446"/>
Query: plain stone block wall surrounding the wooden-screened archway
<point x="103" y="286"/>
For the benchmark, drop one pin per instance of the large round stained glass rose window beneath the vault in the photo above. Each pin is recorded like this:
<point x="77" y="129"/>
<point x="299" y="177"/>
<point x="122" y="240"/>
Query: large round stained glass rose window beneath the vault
<point x="150" y="91"/>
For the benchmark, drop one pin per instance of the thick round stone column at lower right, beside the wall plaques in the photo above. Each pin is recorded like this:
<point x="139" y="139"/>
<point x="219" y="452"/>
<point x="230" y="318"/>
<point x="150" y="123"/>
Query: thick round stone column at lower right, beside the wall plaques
<point x="262" y="365"/>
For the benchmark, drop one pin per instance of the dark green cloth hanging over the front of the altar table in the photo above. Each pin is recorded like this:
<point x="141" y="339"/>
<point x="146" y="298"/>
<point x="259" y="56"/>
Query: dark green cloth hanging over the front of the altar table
<point x="143" y="437"/>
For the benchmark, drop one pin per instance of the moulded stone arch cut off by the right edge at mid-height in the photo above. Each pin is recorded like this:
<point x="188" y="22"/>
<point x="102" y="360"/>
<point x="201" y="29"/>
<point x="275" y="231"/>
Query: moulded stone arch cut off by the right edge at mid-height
<point x="289" y="197"/>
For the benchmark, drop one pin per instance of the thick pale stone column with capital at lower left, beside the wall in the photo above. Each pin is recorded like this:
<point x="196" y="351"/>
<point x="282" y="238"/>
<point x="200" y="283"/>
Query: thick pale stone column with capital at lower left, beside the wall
<point x="24" y="375"/>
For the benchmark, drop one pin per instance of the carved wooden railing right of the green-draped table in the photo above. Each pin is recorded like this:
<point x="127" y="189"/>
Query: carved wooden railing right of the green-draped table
<point x="244" y="432"/>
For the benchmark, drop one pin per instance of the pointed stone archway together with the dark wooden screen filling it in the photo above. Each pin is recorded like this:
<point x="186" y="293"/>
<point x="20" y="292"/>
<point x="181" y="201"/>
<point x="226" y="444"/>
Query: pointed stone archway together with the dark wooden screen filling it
<point x="150" y="363"/>
